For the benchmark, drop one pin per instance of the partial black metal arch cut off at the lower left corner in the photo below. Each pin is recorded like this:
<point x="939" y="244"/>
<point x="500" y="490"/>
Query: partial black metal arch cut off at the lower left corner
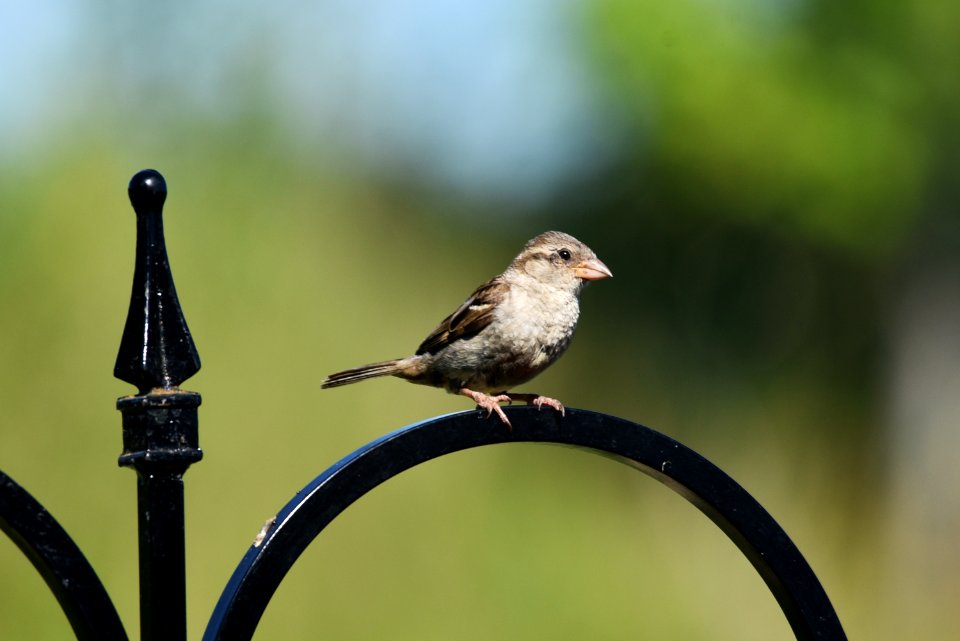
<point x="60" y="562"/>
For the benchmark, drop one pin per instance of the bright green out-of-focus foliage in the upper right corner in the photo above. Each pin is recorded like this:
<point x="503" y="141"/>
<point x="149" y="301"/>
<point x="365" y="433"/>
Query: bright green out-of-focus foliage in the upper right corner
<point x="773" y="114"/>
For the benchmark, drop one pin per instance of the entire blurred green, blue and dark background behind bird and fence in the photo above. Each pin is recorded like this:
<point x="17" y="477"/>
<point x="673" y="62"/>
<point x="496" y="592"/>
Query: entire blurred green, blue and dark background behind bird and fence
<point x="774" y="185"/>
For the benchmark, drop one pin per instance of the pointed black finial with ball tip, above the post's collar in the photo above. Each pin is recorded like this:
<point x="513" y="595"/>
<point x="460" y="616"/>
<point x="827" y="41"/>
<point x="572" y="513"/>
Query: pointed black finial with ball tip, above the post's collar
<point x="156" y="350"/>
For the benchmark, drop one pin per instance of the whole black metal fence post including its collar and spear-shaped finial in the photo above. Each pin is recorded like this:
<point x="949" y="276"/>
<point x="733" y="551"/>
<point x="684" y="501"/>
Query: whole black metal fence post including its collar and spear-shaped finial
<point x="160" y="425"/>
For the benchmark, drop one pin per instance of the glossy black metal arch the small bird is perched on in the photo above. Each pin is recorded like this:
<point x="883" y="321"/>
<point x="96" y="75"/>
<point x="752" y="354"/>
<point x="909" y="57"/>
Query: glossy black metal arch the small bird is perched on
<point x="729" y="506"/>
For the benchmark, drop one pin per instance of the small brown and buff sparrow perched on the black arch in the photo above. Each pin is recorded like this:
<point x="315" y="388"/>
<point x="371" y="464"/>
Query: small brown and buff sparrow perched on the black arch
<point x="508" y="331"/>
